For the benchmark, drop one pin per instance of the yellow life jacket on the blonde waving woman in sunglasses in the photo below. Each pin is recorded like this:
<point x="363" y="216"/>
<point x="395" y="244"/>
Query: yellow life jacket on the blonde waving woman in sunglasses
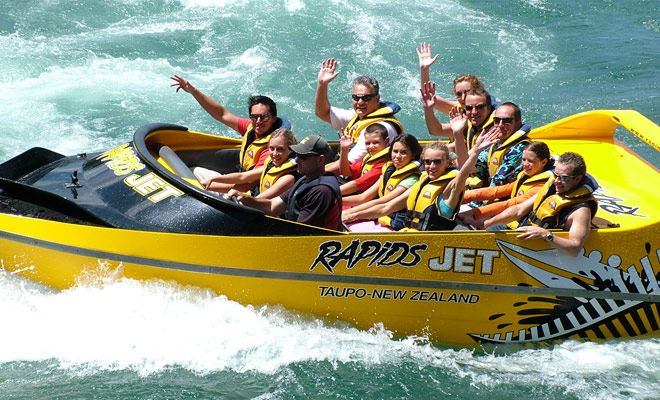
<point x="422" y="213"/>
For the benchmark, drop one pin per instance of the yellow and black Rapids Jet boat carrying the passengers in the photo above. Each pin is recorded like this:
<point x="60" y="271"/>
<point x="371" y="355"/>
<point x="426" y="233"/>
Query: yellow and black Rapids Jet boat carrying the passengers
<point x="139" y="210"/>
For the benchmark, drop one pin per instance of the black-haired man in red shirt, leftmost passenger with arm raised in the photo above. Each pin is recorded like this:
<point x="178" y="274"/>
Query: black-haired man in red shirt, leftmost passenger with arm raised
<point x="255" y="130"/>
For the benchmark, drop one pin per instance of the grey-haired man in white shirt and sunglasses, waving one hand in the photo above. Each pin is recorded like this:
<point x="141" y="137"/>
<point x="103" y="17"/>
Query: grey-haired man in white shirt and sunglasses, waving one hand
<point x="367" y="110"/>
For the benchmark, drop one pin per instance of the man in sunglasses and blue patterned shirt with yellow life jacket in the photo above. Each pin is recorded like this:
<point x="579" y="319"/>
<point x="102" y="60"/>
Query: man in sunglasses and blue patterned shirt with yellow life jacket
<point x="501" y="163"/>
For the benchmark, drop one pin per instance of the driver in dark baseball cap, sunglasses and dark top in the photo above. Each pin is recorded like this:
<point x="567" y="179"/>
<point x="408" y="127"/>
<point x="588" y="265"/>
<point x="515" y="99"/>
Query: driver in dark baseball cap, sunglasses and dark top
<point x="314" y="199"/>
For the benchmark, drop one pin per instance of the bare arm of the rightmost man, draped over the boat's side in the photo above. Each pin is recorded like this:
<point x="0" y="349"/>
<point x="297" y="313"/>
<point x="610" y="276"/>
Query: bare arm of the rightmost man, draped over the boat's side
<point x="579" y="223"/>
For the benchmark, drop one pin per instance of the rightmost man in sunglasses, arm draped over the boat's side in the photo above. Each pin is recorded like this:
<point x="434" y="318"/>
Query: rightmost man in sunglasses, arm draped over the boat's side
<point x="565" y="202"/>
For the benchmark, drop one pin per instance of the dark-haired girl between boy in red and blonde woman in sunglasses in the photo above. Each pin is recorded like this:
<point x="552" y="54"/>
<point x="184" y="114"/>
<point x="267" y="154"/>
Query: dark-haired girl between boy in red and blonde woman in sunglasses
<point x="398" y="175"/>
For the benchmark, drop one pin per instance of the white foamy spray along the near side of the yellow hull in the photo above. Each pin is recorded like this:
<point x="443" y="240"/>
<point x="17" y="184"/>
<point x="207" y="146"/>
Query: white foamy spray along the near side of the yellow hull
<point x="115" y="324"/>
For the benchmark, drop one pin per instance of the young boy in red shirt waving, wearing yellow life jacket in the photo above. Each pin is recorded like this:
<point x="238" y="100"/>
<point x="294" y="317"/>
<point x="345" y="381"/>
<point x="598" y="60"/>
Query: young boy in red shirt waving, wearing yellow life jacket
<point x="365" y="173"/>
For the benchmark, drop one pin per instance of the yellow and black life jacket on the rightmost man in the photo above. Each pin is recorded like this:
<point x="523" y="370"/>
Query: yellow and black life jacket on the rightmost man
<point x="551" y="209"/>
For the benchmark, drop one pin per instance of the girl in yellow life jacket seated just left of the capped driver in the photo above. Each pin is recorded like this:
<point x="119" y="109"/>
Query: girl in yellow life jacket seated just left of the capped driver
<point x="276" y="176"/>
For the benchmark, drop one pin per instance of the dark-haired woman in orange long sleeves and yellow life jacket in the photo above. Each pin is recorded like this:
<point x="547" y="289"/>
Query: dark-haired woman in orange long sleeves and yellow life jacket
<point x="536" y="164"/>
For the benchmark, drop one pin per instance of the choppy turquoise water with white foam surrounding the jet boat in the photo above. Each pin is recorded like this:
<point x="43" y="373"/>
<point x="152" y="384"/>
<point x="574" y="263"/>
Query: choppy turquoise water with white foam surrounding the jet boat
<point x="84" y="75"/>
